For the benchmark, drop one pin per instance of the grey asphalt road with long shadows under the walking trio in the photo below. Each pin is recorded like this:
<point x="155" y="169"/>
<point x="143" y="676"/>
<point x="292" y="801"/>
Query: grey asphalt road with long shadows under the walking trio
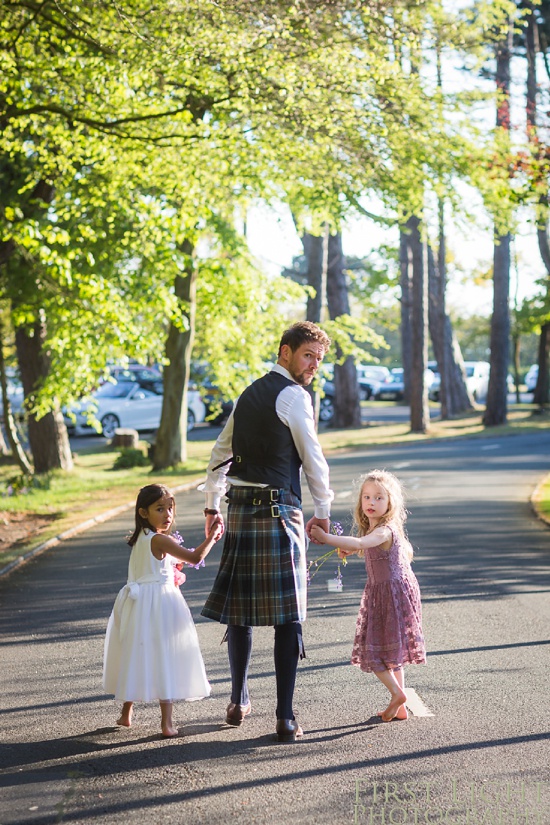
<point x="483" y="563"/>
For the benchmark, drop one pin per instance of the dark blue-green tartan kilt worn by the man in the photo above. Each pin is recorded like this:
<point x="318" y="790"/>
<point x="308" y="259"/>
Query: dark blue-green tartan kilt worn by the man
<point x="262" y="576"/>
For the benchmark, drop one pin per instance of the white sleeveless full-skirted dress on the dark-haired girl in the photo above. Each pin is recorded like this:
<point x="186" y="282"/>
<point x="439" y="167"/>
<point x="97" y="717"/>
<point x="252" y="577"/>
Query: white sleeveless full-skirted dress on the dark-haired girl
<point x="151" y="646"/>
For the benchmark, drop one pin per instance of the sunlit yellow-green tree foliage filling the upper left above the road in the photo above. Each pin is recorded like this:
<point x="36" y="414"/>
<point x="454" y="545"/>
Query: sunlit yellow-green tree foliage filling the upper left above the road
<point x="128" y="130"/>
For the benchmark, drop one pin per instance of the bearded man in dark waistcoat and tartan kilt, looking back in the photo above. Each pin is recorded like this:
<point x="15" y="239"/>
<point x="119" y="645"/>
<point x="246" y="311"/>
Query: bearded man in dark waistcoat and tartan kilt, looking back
<point x="268" y="440"/>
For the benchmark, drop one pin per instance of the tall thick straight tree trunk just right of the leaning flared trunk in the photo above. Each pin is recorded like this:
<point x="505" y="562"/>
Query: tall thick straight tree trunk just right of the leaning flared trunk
<point x="497" y="393"/>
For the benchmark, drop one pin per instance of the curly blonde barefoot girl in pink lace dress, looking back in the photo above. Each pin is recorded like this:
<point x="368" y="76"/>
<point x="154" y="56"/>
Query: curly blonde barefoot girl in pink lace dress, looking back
<point x="389" y="626"/>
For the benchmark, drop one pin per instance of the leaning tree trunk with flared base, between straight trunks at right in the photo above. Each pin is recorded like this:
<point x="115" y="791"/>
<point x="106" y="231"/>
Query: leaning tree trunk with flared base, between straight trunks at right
<point x="454" y="395"/>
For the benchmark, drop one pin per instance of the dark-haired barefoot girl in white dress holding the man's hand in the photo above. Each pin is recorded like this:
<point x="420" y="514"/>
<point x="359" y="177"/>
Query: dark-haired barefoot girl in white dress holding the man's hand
<point x="151" y="646"/>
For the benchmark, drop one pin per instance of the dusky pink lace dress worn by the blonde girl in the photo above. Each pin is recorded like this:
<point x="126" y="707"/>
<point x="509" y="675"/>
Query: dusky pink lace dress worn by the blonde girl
<point x="389" y="625"/>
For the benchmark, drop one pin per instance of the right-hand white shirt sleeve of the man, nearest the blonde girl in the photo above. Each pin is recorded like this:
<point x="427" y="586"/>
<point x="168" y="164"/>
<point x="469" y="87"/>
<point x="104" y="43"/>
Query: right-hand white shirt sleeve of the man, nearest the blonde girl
<point x="295" y="409"/>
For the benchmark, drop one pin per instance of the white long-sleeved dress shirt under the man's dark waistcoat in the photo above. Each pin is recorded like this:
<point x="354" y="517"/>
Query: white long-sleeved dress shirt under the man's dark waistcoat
<point x="295" y="410"/>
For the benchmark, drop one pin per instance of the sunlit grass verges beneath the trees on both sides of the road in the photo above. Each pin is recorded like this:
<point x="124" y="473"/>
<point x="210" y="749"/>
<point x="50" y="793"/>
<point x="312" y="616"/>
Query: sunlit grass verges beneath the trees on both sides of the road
<point x="64" y="500"/>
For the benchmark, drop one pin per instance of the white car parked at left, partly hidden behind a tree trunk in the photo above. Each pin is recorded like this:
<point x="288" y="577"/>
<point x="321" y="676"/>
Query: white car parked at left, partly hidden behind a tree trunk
<point x="128" y="404"/>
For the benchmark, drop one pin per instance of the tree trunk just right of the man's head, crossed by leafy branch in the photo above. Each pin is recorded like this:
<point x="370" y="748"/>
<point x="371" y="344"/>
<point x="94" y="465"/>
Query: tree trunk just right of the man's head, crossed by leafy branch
<point x="347" y="408"/>
